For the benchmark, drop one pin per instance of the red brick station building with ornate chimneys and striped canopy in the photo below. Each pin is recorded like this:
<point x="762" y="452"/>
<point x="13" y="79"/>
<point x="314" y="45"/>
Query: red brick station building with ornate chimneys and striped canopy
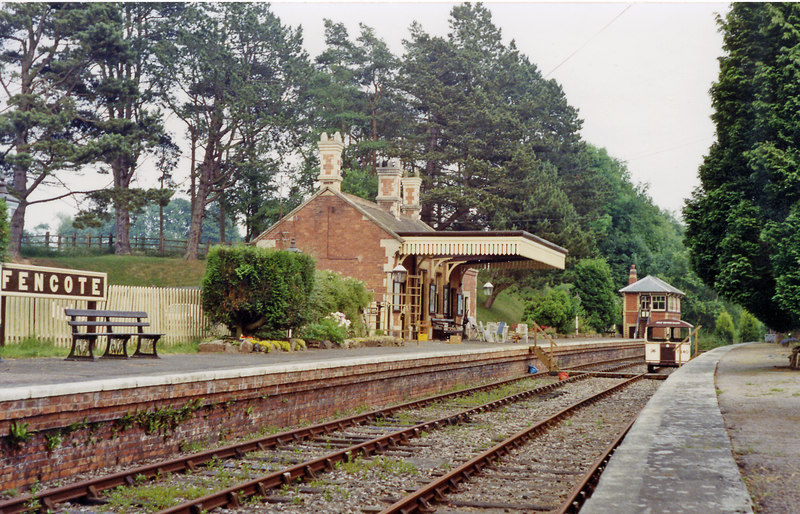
<point x="420" y="278"/>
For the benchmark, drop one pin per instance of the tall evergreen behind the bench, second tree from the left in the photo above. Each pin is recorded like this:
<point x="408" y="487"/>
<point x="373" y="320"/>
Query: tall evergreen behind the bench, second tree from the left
<point x="117" y="105"/>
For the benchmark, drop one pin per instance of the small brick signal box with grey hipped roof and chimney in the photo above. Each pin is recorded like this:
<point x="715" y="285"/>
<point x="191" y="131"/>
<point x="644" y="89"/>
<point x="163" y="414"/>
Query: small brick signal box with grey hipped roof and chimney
<point x="650" y="303"/>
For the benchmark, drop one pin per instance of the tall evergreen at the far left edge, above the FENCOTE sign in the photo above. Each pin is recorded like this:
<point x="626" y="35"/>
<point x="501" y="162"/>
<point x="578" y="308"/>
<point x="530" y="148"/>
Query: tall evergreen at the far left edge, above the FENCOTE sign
<point x="40" y="64"/>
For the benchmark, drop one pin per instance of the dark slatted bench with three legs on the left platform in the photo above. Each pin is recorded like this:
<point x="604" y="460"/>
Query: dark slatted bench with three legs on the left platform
<point x="132" y="323"/>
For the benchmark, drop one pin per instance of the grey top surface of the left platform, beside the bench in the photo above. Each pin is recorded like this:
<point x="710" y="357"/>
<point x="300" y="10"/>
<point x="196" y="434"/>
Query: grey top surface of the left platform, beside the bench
<point x="33" y="378"/>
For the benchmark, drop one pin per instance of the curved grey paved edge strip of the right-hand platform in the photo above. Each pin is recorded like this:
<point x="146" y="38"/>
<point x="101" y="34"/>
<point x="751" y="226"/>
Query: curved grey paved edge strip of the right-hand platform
<point x="677" y="457"/>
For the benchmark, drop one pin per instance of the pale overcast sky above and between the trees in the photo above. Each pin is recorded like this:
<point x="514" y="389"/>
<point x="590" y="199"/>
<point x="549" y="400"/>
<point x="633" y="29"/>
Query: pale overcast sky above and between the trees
<point x="639" y="73"/>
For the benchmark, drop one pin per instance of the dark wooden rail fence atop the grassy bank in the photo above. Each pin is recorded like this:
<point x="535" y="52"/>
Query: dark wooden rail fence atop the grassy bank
<point x="64" y="242"/>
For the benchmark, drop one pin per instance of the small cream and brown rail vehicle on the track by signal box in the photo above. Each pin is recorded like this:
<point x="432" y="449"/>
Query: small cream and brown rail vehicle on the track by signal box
<point x="668" y="343"/>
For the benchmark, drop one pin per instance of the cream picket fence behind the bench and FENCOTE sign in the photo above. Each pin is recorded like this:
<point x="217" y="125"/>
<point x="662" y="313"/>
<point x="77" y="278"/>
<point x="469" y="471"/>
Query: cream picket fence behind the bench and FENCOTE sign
<point x="175" y="312"/>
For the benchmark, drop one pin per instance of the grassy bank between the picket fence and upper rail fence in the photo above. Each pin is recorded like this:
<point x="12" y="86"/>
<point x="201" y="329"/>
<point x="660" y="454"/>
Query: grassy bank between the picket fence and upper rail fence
<point x="132" y="270"/>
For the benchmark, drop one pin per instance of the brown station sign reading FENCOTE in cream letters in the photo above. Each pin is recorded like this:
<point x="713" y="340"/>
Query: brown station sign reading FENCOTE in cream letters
<point x="39" y="281"/>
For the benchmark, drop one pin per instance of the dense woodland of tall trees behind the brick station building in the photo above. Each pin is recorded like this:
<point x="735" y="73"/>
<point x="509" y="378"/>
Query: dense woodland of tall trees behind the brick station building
<point x="88" y="87"/>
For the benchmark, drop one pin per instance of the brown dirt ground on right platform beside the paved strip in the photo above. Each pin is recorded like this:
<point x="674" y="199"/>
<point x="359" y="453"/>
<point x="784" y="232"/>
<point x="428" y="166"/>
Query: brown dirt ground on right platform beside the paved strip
<point x="759" y="397"/>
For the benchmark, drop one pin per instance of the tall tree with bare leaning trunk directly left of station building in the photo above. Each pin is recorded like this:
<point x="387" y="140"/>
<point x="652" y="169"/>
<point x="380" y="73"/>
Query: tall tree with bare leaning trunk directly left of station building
<point x="235" y="77"/>
